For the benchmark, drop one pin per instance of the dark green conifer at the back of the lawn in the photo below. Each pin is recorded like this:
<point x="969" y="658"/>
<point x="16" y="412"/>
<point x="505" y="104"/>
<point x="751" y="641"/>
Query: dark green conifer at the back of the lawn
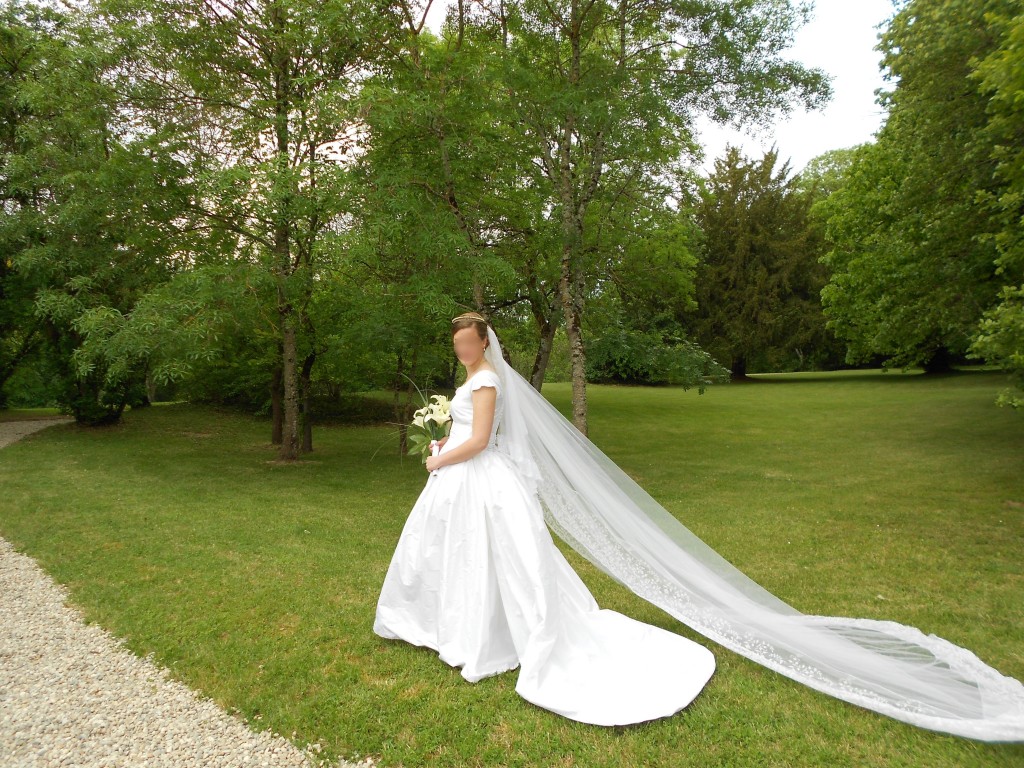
<point x="759" y="282"/>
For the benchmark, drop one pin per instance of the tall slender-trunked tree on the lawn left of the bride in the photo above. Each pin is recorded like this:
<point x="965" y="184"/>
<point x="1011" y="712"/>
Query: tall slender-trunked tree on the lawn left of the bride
<point x="251" y="99"/>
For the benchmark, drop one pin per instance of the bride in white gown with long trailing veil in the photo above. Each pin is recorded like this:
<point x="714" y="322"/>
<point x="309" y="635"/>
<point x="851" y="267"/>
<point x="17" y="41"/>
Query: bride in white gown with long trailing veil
<point x="478" y="578"/>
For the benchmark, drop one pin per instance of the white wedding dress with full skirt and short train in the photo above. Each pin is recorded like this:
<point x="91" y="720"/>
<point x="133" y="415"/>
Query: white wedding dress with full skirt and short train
<point x="478" y="578"/>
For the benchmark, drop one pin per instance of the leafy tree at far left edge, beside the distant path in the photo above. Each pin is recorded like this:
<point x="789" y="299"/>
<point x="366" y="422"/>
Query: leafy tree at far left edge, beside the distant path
<point x="81" y="205"/>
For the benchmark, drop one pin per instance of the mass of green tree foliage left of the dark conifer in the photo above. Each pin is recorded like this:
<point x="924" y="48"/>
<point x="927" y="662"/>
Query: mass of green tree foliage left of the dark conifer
<point x="185" y="186"/>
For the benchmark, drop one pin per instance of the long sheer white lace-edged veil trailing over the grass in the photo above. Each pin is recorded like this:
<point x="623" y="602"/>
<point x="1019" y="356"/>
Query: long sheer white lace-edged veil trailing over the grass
<point x="606" y="517"/>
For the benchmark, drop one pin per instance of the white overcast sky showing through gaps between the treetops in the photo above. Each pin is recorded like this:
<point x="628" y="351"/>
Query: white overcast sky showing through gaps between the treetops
<point x="841" y="40"/>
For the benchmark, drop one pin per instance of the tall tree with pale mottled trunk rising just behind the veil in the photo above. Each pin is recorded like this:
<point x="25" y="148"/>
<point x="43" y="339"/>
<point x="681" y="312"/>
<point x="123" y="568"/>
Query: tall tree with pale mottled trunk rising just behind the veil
<point x="607" y="92"/>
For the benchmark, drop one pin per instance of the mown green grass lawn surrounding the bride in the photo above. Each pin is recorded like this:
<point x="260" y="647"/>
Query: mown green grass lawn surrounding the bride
<point x="897" y="497"/>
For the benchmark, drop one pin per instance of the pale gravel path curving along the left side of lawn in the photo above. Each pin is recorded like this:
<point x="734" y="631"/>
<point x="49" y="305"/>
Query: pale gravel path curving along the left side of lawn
<point x="72" y="695"/>
